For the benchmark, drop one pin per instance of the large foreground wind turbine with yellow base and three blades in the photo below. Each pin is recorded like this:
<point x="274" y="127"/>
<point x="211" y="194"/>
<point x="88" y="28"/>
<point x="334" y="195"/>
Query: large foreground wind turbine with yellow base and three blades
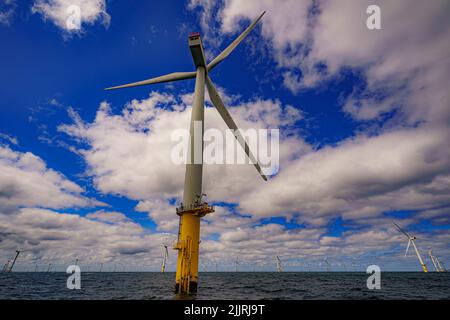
<point x="192" y="207"/>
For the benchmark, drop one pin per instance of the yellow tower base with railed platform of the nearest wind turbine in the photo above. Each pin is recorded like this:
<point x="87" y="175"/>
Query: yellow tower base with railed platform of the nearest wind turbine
<point x="188" y="247"/>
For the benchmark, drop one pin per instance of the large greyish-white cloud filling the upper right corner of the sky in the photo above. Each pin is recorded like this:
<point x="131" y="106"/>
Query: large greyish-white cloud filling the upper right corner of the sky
<point x="406" y="61"/>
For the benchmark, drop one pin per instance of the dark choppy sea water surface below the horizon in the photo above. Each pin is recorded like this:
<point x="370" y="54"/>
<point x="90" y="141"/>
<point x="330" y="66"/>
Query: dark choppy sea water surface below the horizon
<point x="227" y="285"/>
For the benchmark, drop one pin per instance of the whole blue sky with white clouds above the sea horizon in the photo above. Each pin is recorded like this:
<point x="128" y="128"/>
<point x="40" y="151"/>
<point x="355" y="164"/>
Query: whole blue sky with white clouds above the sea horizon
<point x="364" y="120"/>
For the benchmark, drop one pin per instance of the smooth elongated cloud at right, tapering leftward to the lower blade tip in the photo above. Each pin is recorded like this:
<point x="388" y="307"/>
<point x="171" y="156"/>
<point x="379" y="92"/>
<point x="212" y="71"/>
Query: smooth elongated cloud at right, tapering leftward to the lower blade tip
<point x="387" y="172"/>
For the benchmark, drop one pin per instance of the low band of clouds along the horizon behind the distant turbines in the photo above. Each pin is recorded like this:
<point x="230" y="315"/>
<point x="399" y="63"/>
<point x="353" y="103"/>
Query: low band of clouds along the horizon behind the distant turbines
<point x="60" y="238"/>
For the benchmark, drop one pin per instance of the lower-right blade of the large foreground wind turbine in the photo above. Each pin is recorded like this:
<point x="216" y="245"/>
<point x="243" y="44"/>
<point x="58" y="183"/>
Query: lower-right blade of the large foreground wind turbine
<point x="217" y="101"/>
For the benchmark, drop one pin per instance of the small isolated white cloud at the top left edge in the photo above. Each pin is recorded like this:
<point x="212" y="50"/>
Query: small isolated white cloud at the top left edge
<point x="61" y="12"/>
